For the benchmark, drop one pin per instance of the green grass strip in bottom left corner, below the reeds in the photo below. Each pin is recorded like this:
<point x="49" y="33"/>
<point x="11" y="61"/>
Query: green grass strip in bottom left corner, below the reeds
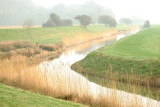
<point x="14" y="97"/>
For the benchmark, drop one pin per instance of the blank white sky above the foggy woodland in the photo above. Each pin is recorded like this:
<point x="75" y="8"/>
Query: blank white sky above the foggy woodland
<point x="146" y="9"/>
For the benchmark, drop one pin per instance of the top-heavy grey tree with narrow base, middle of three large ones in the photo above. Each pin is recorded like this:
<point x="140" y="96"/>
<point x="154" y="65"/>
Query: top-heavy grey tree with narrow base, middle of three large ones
<point x="84" y="20"/>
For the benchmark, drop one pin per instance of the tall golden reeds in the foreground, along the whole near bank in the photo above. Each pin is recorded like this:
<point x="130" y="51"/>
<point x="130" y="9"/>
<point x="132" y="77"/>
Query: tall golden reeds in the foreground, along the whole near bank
<point x="64" y="84"/>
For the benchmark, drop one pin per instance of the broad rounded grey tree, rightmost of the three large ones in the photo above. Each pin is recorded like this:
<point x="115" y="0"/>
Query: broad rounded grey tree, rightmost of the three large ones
<point x="107" y="20"/>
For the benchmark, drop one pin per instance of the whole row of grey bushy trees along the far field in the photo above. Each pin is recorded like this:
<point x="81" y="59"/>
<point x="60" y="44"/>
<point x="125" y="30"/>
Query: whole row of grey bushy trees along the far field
<point x="84" y="20"/>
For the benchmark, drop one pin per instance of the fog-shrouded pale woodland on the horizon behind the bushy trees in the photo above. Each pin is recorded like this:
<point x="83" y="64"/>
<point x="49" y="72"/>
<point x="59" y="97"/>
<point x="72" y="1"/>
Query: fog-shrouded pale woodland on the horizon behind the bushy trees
<point x="16" y="12"/>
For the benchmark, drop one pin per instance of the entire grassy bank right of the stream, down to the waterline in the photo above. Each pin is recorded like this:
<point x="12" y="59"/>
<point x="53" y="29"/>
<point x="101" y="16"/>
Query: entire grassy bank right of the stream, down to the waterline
<point x="132" y="60"/>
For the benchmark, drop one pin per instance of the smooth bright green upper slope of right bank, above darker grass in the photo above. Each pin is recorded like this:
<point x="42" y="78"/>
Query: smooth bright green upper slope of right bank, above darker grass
<point x="141" y="46"/>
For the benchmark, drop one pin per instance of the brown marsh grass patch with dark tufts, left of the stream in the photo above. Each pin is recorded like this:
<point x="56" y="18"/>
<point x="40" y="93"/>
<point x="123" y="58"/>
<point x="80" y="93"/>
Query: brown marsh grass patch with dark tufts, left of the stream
<point x="33" y="51"/>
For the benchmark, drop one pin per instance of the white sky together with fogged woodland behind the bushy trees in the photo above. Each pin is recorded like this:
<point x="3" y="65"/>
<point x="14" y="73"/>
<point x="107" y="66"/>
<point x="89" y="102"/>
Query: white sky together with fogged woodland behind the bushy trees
<point x="15" y="12"/>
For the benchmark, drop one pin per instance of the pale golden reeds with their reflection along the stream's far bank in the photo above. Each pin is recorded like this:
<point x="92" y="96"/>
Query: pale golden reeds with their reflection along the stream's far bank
<point x="85" y="40"/>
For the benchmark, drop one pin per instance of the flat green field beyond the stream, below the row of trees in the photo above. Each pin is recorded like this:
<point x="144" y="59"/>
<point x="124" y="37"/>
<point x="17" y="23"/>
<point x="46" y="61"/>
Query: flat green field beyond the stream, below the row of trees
<point x="51" y="35"/>
